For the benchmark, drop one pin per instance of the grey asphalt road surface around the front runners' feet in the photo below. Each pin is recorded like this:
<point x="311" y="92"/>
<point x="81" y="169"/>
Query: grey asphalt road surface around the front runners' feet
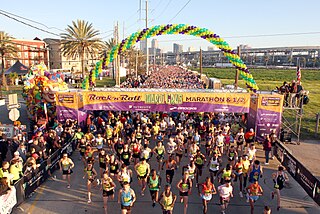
<point x="54" y="197"/>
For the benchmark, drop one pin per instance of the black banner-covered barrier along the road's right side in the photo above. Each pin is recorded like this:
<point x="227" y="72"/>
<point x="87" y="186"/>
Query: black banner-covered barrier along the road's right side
<point x="301" y="174"/>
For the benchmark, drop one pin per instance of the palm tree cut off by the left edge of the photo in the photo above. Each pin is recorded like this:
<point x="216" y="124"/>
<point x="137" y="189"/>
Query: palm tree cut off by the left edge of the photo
<point x="7" y="49"/>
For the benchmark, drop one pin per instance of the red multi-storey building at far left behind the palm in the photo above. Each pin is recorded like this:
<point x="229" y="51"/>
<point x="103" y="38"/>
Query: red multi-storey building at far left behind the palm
<point x="29" y="52"/>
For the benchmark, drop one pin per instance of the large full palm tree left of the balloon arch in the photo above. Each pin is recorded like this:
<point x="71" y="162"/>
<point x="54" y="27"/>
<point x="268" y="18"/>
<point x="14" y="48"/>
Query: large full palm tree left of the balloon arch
<point x="81" y="40"/>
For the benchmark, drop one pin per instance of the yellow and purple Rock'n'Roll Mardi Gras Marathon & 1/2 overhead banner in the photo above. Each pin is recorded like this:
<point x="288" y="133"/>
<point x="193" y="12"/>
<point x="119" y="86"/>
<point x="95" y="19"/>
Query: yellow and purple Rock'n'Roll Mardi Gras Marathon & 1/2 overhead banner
<point x="165" y="101"/>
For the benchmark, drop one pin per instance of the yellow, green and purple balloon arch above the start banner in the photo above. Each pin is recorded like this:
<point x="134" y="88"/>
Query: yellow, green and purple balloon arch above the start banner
<point x="173" y="29"/>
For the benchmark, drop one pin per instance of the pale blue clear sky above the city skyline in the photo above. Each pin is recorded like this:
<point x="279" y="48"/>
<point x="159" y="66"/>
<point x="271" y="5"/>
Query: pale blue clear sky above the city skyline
<point x="228" y="18"/>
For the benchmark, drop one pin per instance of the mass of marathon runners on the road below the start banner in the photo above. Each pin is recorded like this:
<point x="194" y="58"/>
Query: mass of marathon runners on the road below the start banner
<point x="122" y="144"/>
